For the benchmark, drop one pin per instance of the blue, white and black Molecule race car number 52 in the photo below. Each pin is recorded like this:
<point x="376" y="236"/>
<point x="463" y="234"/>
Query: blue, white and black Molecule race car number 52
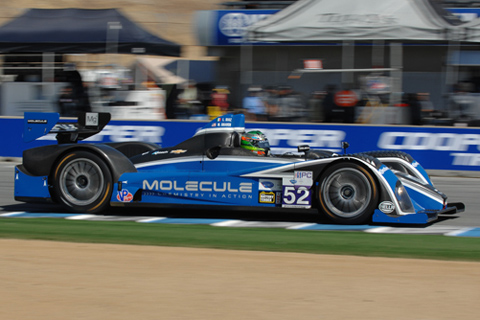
<point x="213" y="168"/>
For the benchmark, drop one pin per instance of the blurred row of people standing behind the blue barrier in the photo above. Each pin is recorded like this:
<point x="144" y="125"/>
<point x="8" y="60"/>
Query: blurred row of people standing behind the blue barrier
<point x="282" y="103"/>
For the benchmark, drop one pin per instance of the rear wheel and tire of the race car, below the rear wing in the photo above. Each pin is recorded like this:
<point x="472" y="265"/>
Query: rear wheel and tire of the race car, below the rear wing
<point x="82" y="182"/>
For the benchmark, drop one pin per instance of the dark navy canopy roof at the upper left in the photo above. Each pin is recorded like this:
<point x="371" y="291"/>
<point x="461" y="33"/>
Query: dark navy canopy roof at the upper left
<point x="80" y="31"/>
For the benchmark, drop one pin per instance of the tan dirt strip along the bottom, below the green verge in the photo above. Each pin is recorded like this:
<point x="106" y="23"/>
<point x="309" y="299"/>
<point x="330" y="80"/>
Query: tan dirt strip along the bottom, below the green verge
<point x="56" y="280"/>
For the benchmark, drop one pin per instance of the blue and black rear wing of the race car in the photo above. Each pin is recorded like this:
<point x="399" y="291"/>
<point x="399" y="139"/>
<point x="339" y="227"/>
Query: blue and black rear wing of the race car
<point x="38" y="124"/>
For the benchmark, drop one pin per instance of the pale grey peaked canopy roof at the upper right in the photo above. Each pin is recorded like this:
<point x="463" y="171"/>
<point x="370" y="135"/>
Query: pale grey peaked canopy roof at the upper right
<point x="356" y="20"/>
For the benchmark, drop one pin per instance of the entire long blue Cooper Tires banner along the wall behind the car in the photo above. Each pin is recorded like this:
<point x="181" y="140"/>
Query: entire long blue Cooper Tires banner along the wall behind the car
<point x="436" y="148"/>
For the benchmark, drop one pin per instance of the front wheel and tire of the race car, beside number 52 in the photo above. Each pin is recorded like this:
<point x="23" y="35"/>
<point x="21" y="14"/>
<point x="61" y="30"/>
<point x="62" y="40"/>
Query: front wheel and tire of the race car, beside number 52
<point x="348" y="194"/>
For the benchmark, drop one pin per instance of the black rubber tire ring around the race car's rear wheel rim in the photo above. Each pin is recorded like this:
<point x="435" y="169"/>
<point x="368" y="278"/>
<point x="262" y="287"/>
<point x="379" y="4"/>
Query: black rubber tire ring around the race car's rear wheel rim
<point x="102" y="201"/>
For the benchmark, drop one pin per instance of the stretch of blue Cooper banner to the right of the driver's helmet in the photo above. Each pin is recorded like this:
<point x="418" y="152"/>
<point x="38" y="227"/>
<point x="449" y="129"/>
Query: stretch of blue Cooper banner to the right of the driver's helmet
<point x="436" y="148"/>
